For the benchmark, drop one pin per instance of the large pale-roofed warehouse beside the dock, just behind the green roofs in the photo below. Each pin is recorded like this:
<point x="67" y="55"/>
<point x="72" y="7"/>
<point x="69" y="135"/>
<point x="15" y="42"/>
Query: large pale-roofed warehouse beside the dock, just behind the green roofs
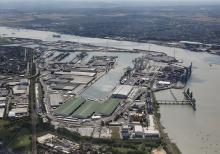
<point x="122" y="91"/>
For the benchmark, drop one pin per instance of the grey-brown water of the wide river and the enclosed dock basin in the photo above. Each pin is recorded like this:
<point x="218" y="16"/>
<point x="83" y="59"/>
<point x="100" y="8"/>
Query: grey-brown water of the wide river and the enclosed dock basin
<point x="195" y="132"/>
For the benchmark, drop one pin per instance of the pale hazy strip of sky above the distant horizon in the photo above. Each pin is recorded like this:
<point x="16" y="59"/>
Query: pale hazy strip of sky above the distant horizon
<point x="100" y="3"/>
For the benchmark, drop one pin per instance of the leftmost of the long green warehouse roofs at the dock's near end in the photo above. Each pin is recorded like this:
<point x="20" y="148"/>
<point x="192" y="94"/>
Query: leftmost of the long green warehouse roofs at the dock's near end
<point x="69" y="106"/>
